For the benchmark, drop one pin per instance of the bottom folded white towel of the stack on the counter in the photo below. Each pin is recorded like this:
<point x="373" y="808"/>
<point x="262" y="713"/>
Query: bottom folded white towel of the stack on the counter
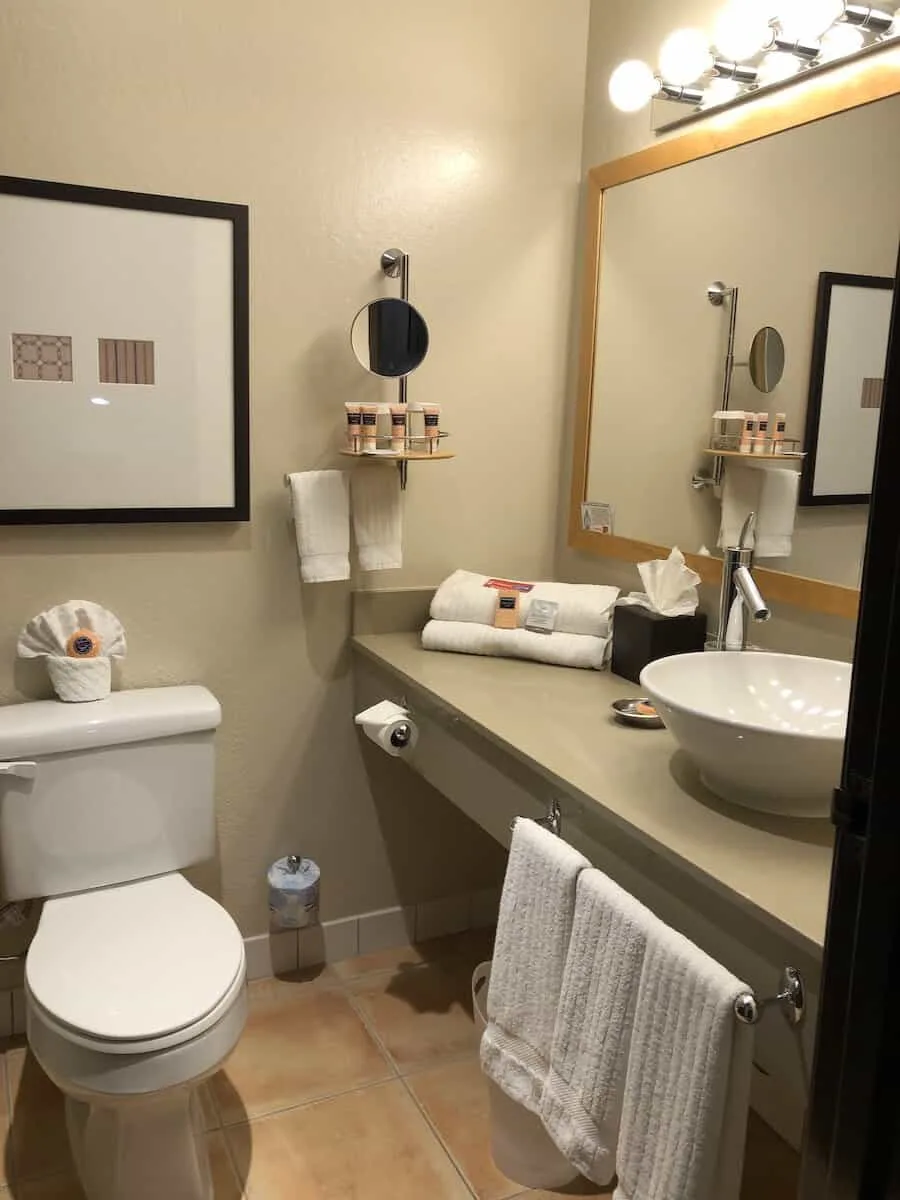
<point x="559" y="650"/>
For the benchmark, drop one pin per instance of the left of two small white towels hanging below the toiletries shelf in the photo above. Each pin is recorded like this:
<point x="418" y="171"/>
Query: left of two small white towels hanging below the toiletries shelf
<point x="322" y="518"/>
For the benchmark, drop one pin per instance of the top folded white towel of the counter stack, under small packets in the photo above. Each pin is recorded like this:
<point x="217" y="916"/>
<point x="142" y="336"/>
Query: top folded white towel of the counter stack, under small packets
<point x="584" y="608"/>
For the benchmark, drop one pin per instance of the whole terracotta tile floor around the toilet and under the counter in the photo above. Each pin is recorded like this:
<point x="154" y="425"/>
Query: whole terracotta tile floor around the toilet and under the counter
<point x="358" y="1084"/>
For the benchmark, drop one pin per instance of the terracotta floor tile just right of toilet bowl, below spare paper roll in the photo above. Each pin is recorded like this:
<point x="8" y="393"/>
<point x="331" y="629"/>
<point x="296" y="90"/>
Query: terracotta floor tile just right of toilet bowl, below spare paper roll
<point x="302" y="1042"/>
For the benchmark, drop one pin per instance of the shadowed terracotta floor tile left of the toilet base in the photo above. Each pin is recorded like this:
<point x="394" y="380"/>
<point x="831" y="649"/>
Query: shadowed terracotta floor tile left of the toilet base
<point x="38" y="1136"/>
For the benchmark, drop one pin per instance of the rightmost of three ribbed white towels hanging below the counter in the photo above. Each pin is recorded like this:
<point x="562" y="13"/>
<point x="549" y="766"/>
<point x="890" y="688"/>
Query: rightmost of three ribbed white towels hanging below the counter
<point x="688" y="1084"/>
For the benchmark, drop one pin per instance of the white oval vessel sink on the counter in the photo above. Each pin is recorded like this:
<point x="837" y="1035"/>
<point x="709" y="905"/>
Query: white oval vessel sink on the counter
<point x="765" y="730"/>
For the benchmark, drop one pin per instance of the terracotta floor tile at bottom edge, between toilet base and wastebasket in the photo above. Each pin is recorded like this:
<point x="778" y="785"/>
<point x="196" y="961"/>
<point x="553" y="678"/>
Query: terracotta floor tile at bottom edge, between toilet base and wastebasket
<point x="369" y="1145"/>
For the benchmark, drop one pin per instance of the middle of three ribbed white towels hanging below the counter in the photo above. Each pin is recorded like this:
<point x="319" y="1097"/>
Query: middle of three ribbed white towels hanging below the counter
<point x="581" y="1106"/>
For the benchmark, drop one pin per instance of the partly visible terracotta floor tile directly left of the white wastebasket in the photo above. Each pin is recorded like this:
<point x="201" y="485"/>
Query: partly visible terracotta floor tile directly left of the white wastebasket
<point x="455" y="1097"/>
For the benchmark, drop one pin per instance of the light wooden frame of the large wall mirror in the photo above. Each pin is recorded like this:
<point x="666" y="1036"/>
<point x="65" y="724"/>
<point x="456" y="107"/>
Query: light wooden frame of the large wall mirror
<point x="855" y="85"/>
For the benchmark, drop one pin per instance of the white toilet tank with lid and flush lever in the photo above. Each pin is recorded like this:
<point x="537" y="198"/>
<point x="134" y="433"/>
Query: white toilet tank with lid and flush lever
<point x="106" y="791"/>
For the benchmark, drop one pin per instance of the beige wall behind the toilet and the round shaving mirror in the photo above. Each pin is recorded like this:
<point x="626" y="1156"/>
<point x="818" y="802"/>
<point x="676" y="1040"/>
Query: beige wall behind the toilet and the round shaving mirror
<point x="452" y="130"/>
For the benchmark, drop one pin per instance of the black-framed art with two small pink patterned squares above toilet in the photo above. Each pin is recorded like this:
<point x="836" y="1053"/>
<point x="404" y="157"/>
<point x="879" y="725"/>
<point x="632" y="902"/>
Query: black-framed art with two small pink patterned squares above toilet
<point x="124" y="371"/>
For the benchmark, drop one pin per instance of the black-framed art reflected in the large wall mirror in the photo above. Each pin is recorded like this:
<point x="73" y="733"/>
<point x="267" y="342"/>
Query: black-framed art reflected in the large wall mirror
<point x="847" y="383"/>
